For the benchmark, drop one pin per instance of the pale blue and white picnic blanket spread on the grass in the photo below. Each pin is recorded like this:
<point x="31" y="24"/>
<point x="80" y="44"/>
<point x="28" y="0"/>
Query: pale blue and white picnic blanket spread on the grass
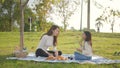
<point x="94" y="60"/>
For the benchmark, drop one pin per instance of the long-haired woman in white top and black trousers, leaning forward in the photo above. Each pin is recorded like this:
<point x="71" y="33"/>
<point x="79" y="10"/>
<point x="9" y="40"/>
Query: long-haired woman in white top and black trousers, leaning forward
<point x="49" y="39"/>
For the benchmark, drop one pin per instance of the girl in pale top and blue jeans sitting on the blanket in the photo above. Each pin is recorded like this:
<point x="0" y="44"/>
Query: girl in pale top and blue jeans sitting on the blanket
<point x="86" y="47"/>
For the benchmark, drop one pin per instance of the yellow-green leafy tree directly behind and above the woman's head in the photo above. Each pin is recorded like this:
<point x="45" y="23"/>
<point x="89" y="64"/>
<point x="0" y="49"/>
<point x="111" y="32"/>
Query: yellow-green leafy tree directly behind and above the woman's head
<point x="43" y="8"/>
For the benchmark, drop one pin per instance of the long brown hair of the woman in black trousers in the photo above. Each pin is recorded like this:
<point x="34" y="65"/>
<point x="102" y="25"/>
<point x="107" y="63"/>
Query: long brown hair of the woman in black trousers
<point x="50" y="32"/>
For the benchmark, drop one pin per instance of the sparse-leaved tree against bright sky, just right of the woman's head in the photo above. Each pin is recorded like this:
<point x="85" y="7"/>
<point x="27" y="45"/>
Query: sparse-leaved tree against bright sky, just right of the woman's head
<point x="65" y="9"/>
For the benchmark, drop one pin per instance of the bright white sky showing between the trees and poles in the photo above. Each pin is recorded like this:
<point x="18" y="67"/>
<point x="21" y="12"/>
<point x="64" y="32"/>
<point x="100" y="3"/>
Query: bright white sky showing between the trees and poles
<point x="74" y="21"/>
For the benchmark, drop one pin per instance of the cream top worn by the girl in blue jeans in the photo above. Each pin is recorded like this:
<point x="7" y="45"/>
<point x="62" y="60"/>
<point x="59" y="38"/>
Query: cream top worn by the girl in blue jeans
<point x="87" y="49"/>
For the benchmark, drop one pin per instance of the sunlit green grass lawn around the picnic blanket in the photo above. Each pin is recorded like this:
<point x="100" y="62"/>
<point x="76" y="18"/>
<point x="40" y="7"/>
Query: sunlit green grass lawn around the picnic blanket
<point x="104" y="44"/>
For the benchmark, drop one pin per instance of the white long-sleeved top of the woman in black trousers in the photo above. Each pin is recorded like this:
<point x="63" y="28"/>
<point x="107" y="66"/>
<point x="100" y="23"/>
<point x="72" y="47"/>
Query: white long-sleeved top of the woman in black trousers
<point x="46" y="42"/>
